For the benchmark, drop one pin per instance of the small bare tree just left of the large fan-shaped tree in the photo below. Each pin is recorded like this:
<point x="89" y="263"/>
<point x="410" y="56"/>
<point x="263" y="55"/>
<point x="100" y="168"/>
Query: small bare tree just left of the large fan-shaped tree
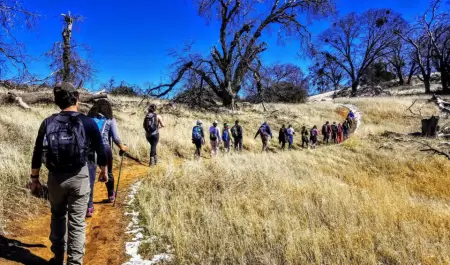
<point x="325" y="73"/>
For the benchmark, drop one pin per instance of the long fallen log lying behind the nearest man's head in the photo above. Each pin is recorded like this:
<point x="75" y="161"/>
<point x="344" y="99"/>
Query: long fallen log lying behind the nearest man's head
<point x="26" y="99"/>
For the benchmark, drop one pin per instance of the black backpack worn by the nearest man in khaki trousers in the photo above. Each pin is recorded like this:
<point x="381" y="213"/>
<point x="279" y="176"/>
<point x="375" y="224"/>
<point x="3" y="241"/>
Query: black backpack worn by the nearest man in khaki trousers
<point x="66" y="143"/>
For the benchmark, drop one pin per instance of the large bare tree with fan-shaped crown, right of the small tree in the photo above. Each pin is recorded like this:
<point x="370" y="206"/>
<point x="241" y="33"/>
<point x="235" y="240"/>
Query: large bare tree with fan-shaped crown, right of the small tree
<point x="357" y="41"/>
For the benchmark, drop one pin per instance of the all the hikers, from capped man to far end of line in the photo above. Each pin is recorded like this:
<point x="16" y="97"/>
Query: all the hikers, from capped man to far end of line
<point x="72" y="146"/>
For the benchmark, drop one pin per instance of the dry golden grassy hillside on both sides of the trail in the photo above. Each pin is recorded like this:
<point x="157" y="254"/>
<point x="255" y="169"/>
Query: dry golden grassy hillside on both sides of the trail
<point x="355" y="203"/>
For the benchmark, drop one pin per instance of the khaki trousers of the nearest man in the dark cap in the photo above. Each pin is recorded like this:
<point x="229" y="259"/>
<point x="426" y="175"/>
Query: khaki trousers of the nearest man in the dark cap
<point x="69" y="196"/>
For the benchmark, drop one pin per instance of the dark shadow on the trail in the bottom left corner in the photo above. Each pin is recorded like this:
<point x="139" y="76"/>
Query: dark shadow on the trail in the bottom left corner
<point x="17" y="251"/>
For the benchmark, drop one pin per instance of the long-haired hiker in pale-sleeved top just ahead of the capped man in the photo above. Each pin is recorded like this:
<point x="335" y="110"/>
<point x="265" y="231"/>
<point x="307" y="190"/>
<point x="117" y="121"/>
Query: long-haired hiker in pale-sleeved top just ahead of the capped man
<point x="102" y="115"/>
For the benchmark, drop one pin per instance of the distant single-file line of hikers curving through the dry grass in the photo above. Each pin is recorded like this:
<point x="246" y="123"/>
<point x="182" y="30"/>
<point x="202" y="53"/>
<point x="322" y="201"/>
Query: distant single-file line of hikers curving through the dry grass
<point x="335" y="133"/>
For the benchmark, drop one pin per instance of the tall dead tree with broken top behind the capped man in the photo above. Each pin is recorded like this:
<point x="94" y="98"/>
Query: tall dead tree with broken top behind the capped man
<point x="67" y="64"/>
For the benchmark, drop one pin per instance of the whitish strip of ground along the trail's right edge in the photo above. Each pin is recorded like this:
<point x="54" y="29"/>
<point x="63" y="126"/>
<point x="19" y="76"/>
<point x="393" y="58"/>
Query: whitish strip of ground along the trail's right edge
<point x="138" y="238"/>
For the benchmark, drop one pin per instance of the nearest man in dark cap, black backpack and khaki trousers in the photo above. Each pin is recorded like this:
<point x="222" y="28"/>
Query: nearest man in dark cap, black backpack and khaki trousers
<point x="62" y="143"/>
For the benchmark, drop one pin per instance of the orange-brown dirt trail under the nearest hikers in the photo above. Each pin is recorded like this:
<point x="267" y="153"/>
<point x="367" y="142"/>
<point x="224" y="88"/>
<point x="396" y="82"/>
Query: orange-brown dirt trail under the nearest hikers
<point x="28" y="243"/>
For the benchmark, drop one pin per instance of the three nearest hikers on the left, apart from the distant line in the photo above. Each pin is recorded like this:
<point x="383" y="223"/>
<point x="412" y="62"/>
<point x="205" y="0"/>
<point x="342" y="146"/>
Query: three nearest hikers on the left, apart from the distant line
<point x="72" y="146"/>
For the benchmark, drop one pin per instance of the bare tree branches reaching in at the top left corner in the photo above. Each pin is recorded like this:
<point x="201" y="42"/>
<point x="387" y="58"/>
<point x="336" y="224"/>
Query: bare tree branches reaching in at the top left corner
<point x="12" y="51"/>
